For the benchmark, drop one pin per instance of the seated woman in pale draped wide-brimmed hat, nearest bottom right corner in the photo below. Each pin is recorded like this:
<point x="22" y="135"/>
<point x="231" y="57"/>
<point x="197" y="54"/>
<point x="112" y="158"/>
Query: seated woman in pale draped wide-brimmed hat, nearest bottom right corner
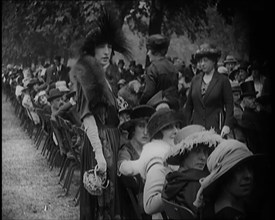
<point x="227" y="192"/>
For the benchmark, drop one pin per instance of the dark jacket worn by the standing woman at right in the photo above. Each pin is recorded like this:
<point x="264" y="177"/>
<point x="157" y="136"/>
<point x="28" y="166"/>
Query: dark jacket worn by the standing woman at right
<point x="215" y="109"/>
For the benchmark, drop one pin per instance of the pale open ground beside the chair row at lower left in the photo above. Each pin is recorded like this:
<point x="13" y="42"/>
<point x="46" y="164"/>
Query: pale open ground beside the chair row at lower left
<point x="29" y="188"/>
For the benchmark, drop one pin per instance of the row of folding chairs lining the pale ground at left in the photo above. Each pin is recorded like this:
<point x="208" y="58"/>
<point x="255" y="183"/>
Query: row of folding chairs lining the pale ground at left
<point x="42" y="135"/>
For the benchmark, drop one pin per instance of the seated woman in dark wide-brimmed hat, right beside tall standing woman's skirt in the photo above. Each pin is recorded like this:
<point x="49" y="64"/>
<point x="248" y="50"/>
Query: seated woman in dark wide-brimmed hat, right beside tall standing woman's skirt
<point x="131" y="150"/>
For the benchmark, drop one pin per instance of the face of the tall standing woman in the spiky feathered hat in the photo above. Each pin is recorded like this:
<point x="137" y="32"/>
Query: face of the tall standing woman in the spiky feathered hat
<point x="103" y="53"/>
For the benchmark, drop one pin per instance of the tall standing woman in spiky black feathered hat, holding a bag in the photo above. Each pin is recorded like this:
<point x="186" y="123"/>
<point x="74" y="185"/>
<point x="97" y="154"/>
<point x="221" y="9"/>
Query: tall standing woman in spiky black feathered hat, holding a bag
<point x="98" y="109"/>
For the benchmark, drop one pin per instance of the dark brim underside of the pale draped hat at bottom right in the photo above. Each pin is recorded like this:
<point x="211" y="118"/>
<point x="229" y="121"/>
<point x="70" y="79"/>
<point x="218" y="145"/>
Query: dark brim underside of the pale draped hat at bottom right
<point x="213" y="186"/>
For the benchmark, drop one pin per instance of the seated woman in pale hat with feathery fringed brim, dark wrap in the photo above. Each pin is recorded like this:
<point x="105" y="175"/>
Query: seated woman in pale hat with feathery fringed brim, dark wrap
<point x="190" y="154"/>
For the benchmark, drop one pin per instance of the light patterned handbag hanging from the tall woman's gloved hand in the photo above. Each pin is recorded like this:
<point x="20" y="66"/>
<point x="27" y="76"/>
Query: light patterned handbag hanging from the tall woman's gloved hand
<point x="95" y="182"/>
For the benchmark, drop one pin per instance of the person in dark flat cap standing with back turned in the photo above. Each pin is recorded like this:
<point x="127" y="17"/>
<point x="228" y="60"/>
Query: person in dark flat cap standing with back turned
<point x="161" y="74"/>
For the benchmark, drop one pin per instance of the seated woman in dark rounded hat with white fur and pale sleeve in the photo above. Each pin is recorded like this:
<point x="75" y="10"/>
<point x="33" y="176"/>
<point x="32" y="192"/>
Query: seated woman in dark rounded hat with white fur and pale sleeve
<point x="162" y="129"/>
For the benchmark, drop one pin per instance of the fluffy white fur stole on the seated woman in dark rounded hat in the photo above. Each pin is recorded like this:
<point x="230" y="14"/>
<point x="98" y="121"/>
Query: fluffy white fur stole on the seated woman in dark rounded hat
<point x="156" y="148"/>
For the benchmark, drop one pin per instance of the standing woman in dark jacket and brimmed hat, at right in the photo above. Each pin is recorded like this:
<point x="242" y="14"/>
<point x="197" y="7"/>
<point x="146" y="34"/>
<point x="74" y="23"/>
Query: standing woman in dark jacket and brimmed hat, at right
<point x="210" y="101"/>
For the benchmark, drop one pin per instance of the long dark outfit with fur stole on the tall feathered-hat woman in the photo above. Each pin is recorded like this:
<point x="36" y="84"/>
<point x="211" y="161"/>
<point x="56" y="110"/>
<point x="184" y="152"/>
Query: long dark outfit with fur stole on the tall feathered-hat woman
<point x="94" y="97"/>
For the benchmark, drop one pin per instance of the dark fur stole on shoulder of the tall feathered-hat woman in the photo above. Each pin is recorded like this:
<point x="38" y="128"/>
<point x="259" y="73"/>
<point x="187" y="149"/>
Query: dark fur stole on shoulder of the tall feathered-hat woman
<point x="90" y="75"/>
